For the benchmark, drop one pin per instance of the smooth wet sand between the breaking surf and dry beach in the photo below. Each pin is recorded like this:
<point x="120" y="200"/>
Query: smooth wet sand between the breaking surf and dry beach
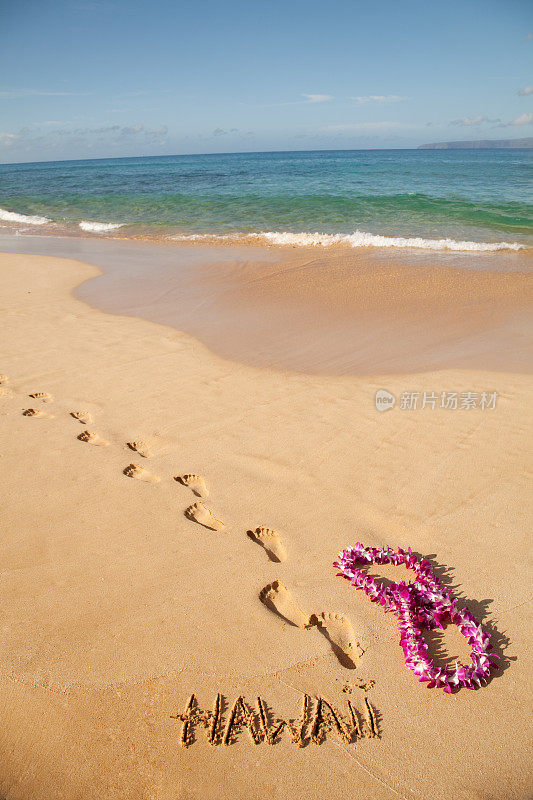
<point x="326" y="311"/>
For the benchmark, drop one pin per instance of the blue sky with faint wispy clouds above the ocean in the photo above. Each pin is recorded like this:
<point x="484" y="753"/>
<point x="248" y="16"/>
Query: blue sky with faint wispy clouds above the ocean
<point x="92" y="78"/>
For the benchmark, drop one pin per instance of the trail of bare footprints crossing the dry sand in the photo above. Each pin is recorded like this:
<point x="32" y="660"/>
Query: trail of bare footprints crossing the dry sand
<point x="336" y="628"/>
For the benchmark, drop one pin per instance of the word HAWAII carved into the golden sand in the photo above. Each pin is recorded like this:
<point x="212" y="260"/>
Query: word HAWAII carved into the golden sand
<point x="318" y="719"/>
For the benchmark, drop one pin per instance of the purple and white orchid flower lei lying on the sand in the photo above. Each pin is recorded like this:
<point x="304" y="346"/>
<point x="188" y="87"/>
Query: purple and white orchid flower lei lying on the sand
<point x="424" y="603"/>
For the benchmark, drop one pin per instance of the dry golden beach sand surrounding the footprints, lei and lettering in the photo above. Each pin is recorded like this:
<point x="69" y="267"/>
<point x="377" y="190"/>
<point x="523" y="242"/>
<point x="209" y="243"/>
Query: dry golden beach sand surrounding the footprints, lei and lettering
<point x="115" y="606"/>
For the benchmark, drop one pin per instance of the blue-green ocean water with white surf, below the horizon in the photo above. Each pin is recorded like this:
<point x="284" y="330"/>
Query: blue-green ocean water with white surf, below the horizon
<point x="455" y="199"/>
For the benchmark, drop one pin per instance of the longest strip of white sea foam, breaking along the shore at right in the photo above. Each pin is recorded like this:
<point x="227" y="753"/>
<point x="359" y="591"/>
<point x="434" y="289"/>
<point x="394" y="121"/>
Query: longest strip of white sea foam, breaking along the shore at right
<point x="357" y="239"/>
